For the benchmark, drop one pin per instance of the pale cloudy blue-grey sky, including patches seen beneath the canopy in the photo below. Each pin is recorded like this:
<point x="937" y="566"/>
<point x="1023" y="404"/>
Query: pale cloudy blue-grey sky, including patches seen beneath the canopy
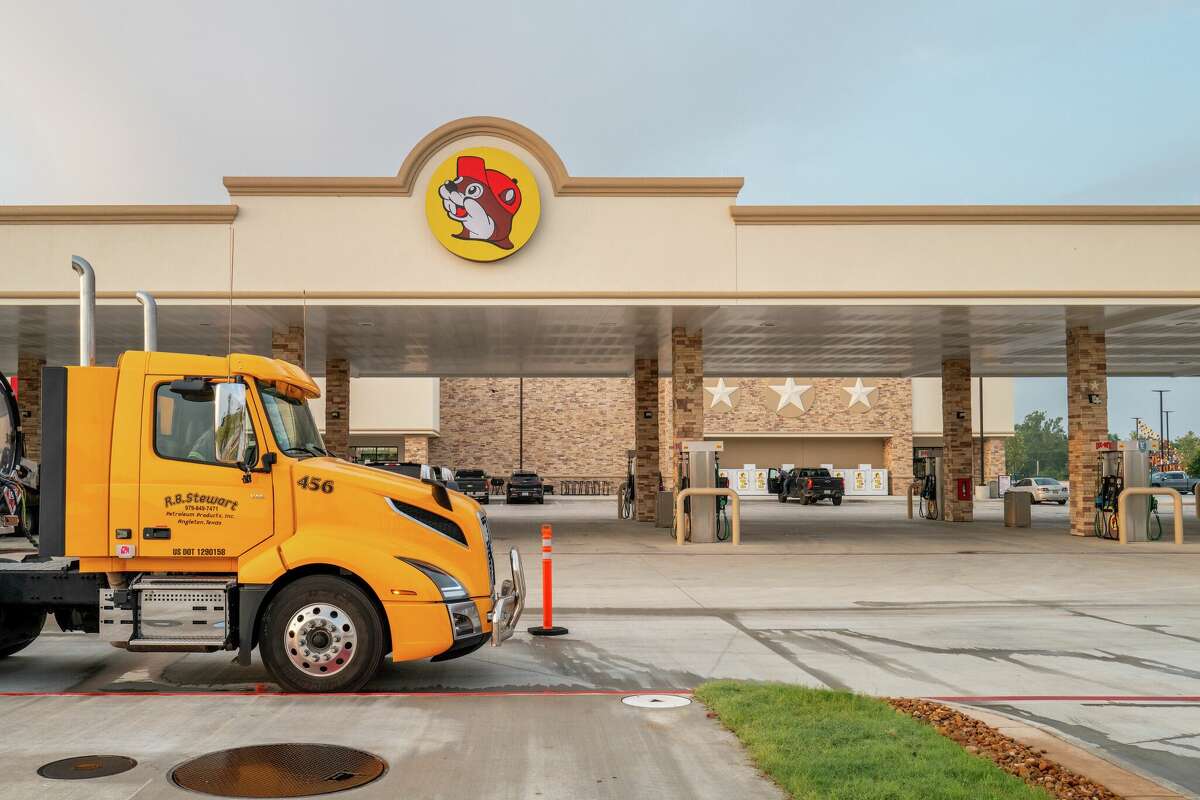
<point x="809" y="101"/>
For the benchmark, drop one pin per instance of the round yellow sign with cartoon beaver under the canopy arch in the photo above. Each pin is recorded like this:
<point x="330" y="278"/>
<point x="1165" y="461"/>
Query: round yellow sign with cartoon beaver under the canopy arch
<point x="483" y="204"/>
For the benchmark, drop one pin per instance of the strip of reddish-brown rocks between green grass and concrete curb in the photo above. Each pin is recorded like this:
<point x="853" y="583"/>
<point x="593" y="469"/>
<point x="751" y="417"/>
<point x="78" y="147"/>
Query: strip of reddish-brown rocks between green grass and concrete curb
<point x="1027" y="763"/>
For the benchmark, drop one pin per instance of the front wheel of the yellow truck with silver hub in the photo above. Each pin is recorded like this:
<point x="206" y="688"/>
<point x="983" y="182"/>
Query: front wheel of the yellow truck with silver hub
<point x="321" y="634"/>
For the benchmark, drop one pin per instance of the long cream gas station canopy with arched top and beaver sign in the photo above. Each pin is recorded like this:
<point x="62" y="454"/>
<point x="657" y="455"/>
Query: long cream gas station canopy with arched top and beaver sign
<point x="484" y="256"/>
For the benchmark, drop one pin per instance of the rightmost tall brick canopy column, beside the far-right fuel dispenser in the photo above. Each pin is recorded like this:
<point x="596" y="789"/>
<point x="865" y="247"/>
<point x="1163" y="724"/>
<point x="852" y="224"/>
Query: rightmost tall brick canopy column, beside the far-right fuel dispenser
<point x="1088" y="374"/>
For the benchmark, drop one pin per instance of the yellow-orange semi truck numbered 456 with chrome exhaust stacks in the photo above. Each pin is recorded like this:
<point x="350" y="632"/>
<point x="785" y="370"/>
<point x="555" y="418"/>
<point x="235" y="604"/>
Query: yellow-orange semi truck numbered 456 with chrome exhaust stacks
<point x="187" y="503"/>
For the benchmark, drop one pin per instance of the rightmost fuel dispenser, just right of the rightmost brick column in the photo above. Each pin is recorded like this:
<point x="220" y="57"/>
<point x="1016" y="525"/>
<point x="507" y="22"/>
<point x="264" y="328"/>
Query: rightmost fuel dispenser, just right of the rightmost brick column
<point x="1121" y="466"/>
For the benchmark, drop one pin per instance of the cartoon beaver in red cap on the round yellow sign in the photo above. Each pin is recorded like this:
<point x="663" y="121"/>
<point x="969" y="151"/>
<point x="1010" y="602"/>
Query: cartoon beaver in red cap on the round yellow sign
<point x="484" y="201"/>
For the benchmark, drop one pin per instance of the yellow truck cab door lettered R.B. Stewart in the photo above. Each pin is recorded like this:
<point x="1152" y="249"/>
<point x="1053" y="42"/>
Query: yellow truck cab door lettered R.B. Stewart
<point x="191" y="506"/>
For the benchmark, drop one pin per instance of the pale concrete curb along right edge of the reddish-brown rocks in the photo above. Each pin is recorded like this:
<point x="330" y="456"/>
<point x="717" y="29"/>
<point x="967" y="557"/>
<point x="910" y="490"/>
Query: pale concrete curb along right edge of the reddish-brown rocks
<point x="1117" y="779"/>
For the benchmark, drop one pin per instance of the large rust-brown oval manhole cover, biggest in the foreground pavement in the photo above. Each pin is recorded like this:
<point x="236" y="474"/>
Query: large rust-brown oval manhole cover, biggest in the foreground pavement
<point x="279" y="772"/>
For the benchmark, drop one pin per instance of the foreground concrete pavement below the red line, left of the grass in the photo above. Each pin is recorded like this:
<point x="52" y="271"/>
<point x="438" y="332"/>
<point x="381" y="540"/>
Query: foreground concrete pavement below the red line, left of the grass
<point x="507" y="748"/>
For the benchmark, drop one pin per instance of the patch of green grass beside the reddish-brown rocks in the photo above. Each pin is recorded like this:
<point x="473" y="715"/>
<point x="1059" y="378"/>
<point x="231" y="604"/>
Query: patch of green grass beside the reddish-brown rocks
<point x="823" y="745"/>
